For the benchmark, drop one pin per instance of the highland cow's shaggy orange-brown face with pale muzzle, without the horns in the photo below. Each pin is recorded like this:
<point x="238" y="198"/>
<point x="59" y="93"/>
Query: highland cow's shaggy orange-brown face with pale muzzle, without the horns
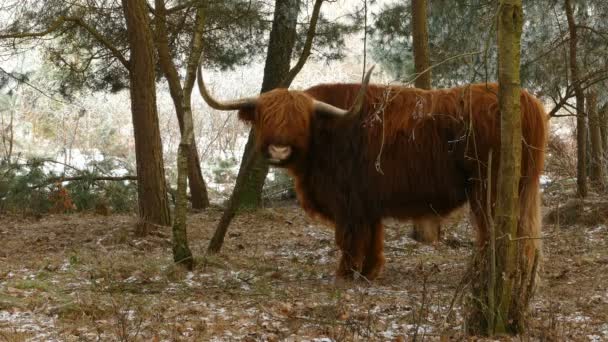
<point x="281" y="120"/>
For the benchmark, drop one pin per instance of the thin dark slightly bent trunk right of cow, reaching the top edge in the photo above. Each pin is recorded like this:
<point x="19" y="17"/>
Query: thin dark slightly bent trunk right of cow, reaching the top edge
<point x="581" y="118"/>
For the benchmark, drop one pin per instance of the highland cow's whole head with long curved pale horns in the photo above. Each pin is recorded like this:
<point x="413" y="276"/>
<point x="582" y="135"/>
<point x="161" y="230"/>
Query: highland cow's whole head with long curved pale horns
<point x="282" y="118"/>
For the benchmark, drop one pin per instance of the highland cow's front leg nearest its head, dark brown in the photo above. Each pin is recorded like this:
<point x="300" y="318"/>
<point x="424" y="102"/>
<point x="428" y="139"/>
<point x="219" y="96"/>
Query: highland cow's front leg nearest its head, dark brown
<point x="353" y="247"/>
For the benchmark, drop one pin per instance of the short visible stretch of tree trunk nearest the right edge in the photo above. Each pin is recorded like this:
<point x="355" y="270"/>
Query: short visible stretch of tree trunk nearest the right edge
<point x="598" y="171"/>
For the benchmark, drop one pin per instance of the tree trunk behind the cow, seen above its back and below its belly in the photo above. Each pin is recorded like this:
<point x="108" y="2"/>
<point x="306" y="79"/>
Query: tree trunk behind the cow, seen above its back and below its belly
<point x="426" y="230"/>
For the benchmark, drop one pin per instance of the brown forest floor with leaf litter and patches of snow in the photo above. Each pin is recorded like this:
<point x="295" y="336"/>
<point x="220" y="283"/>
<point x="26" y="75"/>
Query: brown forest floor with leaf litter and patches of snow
<point x="84" y="277"/>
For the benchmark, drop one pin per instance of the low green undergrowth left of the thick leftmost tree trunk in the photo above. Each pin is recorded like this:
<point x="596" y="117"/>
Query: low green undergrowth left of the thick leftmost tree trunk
<point x="31" y="187"/>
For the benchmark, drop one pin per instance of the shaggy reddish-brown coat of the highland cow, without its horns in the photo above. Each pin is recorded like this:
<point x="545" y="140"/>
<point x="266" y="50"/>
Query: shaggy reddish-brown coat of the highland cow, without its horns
<point x="411" y="153"/>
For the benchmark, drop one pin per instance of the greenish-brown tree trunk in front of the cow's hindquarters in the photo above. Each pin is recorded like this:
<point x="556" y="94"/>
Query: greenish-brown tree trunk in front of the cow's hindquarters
<point x="510" y="23"/>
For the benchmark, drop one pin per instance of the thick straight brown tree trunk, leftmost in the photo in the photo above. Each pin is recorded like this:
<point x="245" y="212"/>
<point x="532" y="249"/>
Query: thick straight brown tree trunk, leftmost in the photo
<point x="151" y="186"/>
